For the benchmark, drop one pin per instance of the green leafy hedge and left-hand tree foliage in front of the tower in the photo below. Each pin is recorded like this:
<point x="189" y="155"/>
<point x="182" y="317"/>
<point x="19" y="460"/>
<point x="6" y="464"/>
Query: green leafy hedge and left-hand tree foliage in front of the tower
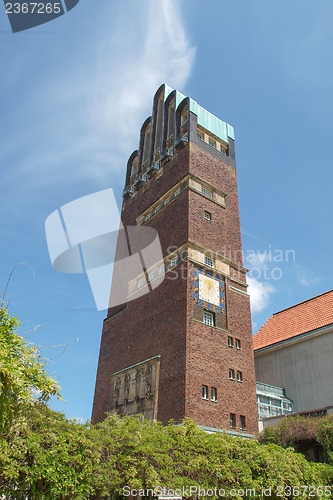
<point x="45" y="456"/>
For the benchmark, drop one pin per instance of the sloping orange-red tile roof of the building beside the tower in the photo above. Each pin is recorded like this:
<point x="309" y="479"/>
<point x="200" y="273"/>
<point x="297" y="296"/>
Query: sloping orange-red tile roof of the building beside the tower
<point x="301" y="318"/>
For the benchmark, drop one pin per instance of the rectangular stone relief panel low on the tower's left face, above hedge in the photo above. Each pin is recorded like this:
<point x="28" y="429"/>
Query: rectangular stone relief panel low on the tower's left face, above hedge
<point x="134" y="390"/>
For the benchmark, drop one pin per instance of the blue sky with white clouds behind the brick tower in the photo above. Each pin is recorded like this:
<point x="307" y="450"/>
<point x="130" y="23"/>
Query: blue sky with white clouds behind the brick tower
<point x="74" y="93"/>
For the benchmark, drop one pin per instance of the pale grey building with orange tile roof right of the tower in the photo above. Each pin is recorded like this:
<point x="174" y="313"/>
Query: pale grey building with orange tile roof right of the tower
<point x="294" y="350"/>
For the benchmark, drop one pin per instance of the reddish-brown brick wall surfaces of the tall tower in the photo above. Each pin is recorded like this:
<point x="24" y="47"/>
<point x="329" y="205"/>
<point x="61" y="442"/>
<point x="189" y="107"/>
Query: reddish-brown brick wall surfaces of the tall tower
<point x="163" y="321"/>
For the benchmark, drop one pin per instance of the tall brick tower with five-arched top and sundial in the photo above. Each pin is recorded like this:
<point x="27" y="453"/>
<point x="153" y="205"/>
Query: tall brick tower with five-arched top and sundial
<point x="179" y="342"/>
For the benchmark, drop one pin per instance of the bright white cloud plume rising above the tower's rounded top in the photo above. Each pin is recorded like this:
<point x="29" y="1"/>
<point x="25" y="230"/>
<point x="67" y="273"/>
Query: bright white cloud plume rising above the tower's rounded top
<point x="124" y="88"/>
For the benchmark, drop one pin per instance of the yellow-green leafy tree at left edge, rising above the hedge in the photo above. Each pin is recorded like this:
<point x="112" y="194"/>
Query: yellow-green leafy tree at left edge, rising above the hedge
<point x="22" y="373"/>
